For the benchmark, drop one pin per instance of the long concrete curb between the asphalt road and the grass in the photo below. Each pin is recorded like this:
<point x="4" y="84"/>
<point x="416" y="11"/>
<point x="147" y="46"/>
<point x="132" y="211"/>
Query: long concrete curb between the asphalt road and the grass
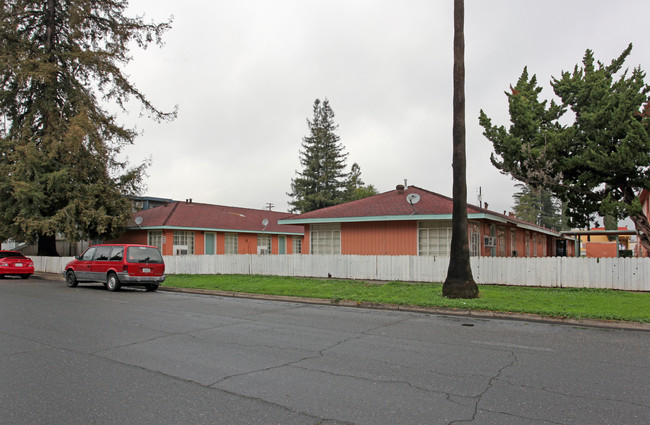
<point x="477" y="314"/>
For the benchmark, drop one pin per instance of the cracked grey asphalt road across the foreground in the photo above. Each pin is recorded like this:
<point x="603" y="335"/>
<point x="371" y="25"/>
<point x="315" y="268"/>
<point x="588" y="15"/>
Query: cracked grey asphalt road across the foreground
<point x="88" y="356"/>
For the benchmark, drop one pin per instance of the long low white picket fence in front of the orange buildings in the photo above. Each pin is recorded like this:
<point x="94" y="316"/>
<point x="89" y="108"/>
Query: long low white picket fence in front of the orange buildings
<point x="630" y="274"/>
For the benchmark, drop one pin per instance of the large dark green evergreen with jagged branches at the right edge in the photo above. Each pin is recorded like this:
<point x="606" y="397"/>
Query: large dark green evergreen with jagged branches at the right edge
<point x="599" y="163"/>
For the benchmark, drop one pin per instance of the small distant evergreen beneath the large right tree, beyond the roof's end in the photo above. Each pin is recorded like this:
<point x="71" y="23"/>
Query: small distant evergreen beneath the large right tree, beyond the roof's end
<point x="538" y="206"/>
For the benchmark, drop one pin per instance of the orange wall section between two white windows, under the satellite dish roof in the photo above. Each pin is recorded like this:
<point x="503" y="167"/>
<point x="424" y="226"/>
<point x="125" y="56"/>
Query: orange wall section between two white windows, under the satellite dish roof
<point x="379" y="238"/>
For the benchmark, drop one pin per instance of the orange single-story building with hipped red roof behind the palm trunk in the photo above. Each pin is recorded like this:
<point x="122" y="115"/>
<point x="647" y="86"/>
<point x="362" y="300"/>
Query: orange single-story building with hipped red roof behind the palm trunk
<point x="414" y="221"/>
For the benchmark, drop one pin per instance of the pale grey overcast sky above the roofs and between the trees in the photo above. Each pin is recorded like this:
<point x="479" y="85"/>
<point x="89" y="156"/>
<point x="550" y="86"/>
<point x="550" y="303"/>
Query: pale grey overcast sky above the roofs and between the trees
<point x="245" y="75"/>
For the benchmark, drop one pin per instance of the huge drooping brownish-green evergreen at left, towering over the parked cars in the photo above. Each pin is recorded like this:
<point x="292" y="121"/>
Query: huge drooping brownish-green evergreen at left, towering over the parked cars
<point x="59" y="61"/>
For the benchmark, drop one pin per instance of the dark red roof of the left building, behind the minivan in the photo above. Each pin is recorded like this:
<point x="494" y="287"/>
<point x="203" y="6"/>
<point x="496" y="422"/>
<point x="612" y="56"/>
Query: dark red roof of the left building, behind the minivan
<point x="180" y="215"/>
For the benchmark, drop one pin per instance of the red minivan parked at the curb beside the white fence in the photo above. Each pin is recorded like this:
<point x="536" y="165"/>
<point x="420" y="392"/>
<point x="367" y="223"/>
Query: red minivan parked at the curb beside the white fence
<point x="117" y="265"/>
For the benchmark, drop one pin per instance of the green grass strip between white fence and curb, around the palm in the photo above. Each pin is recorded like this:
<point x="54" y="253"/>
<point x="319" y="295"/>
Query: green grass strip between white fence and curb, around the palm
<point x="557" y="302"/>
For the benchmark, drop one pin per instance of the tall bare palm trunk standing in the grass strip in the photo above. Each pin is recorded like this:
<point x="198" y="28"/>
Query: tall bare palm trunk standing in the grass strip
<point x="460" y="282"/>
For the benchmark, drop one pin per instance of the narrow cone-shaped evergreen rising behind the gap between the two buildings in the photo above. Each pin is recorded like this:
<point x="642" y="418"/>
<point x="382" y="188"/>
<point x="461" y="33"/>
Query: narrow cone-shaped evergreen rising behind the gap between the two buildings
<point x="323" y="181"/>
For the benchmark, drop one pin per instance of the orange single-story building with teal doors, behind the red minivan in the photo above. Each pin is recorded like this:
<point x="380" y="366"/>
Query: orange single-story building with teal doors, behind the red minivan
<point x="189" y="228"/>
